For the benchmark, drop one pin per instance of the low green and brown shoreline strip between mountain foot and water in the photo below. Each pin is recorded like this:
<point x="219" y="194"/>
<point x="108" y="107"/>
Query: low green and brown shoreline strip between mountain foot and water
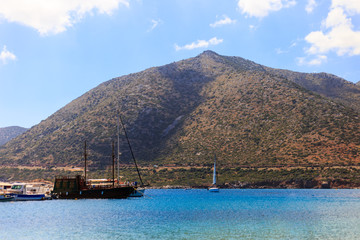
<point x="228" y="178"/>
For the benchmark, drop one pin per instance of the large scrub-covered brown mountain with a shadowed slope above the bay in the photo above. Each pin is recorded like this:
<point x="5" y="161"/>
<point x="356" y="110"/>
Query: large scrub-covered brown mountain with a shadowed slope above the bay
<point x="184" y="112"/>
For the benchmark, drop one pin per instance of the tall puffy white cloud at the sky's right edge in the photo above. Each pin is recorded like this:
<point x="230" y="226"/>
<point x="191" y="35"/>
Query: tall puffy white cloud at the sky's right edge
<point x="338" y="33"/>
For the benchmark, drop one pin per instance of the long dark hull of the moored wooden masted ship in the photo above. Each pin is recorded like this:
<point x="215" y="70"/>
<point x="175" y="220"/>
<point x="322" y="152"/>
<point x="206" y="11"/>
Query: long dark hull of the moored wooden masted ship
<point x="107" y="193"/>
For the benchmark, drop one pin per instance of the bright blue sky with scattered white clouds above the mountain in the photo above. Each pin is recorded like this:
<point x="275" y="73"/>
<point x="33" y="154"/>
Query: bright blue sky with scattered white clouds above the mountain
<point x="53" y="51"/>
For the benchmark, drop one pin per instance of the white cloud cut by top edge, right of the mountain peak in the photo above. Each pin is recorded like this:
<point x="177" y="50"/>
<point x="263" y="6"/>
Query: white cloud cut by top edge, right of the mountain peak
<point x="262" y="8"/>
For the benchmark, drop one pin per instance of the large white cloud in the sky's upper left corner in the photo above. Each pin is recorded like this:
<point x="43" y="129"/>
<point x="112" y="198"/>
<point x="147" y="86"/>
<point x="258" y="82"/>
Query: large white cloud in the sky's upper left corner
<point x="54" y="16"/>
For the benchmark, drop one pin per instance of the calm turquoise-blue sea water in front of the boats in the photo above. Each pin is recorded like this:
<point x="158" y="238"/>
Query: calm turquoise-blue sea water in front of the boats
<point x="190" y="214"/>
